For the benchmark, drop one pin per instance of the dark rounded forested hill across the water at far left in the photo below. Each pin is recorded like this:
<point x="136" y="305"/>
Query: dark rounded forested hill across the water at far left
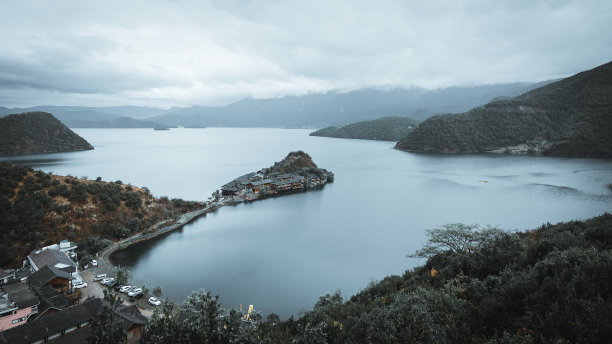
<point x="37" y="132"/>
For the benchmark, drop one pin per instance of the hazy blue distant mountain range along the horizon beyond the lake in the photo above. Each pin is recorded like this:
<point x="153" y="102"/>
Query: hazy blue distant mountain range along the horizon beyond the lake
<point x="307" y="111"/>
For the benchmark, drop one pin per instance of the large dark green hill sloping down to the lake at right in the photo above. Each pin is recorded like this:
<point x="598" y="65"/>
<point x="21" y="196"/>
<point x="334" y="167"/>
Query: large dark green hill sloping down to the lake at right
<point x="571" y="117"/>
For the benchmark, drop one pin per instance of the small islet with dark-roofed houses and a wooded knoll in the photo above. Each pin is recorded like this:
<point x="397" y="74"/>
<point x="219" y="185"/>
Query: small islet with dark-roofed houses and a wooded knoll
<point x="297" y="172"/>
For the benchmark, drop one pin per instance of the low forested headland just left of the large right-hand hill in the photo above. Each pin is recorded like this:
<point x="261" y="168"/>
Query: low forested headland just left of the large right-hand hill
<point x="391" y="128"/>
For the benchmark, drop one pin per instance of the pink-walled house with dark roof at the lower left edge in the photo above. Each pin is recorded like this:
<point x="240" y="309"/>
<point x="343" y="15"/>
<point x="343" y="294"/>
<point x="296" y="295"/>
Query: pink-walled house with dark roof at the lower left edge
<point x="17" y="304"/>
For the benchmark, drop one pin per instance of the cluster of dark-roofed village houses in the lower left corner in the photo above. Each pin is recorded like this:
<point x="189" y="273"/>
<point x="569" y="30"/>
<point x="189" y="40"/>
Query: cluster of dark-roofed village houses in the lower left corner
<point x="38" y="303"/>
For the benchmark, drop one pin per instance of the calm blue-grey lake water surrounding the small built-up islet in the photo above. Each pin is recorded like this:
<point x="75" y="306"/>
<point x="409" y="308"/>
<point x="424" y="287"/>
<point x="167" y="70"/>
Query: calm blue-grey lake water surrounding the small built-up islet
<point x="281" y="254"/>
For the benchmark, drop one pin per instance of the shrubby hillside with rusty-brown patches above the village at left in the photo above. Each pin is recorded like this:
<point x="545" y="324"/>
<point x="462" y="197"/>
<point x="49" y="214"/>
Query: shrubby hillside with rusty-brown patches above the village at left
<point x="38" y="209"/>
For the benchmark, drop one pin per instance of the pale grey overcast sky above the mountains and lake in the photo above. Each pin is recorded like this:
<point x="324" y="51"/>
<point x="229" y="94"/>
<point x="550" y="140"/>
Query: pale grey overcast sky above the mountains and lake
<point x="181" y="53"/>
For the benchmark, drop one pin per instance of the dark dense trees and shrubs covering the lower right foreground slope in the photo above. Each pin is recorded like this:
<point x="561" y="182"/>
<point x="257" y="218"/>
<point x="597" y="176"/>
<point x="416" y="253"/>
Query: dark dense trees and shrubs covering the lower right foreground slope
<point x="552" y="284"/>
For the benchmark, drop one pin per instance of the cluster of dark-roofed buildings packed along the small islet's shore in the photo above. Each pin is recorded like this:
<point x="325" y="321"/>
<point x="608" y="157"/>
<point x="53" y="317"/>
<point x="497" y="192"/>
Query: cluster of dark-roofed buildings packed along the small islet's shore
<point x="255" y="181"/>
